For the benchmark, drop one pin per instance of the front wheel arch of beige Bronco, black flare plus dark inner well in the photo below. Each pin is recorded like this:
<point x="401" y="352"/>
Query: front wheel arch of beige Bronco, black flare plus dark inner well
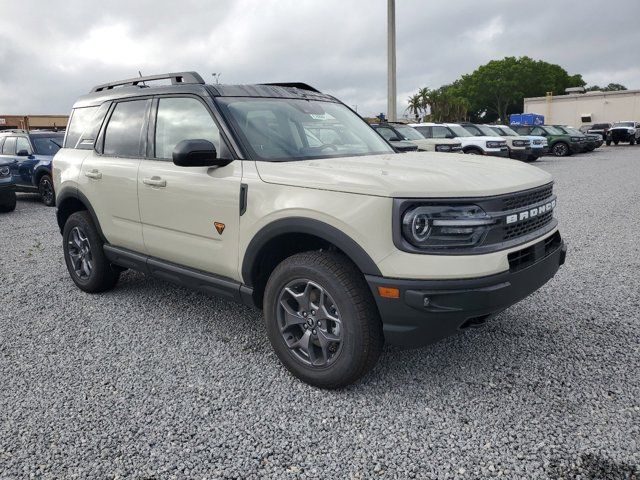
<point x="285" y="237"/>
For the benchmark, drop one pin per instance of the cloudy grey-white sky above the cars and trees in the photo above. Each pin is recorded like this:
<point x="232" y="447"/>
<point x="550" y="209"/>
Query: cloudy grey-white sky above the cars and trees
<point x="52" y="52"/>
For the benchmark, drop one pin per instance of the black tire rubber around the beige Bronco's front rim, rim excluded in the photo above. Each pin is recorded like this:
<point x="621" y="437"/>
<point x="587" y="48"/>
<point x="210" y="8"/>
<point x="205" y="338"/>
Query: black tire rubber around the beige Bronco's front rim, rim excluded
<point x="362" y="336"/>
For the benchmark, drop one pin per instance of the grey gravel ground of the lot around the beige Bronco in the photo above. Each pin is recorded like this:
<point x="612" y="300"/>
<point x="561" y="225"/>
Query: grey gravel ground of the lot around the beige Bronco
<point x="153" y="381"/>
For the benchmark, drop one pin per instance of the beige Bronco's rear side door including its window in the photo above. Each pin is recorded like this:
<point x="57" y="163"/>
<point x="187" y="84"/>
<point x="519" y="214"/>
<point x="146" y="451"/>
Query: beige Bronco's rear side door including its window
<point x="109" y="173"/>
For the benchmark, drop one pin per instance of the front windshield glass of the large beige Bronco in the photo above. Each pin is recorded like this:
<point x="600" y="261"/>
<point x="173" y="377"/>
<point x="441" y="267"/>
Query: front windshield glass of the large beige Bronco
<point x="283" y="129"/>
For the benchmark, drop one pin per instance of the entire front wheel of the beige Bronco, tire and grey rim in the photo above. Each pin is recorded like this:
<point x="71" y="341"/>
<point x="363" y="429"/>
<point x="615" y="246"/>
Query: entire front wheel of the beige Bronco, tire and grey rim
<point x="322" y="319"/>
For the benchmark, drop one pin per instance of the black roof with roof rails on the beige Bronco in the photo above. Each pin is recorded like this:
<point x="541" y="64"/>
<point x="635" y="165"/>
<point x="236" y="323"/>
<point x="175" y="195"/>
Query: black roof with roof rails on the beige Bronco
<point x="191" y="82"/>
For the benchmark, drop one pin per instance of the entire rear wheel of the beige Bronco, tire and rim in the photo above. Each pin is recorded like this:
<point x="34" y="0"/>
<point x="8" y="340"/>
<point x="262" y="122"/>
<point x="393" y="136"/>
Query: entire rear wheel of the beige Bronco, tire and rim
<point x="87" y="265"/>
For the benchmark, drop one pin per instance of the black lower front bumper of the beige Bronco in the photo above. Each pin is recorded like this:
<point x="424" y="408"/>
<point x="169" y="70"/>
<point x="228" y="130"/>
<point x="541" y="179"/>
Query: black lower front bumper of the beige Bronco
<point x="429" y="310"/>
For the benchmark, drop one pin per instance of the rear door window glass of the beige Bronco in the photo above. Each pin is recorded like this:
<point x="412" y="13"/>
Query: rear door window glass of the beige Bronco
<point x="123" y="136"/>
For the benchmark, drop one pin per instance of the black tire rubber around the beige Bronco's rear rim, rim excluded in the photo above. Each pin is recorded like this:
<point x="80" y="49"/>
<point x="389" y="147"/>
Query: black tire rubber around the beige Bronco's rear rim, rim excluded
<point x="103" y="276"/>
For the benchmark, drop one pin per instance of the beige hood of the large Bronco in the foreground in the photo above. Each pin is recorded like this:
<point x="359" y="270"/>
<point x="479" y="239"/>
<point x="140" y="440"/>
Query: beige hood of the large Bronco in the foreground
<point x="408" y="175"/>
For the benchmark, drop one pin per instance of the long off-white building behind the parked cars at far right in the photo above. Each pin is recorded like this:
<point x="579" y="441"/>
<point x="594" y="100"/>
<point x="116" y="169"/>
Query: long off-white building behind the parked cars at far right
<point x="578" y="109"/>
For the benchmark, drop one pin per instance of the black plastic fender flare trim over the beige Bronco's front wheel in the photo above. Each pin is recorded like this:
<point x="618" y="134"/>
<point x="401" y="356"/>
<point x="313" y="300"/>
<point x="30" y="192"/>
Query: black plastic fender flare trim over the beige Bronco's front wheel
<point x="308" y="226"/>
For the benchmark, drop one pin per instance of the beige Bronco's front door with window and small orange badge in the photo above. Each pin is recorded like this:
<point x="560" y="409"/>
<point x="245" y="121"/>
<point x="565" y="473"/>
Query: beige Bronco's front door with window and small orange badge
<point x="190" y="215"/>
